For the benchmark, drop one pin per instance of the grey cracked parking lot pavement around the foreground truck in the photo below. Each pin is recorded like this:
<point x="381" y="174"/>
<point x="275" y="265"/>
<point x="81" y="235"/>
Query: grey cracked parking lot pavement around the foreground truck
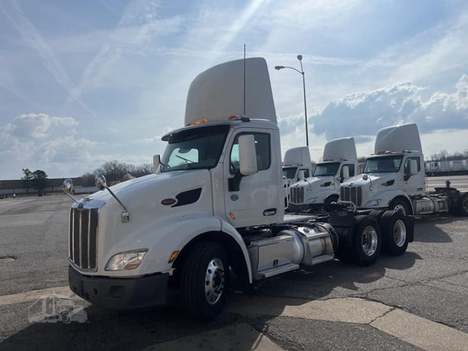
<point x="413" y="302"/>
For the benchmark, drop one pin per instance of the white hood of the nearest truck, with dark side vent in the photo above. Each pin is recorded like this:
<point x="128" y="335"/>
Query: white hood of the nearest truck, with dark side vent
<point x="152" y="201"/>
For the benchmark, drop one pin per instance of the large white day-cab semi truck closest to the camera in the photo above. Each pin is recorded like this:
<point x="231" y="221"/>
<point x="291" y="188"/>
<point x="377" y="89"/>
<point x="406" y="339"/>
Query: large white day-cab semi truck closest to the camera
<point x="213" y="213"/>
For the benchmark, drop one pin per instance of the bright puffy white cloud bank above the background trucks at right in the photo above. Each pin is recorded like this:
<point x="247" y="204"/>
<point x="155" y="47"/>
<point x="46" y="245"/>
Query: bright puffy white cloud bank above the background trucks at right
<point x="365" y="113"/>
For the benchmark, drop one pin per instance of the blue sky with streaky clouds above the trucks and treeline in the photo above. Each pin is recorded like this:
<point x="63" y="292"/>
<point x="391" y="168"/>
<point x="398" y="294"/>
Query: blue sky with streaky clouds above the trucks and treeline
<point x="82" y="82"/>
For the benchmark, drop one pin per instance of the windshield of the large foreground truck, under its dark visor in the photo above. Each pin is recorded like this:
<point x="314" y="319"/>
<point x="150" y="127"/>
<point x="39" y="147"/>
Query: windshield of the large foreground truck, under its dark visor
<point x="194" y="148"/>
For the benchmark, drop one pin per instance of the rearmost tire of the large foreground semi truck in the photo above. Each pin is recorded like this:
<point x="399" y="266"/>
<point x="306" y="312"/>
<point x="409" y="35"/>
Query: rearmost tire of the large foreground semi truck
<point x="396" y="233"/>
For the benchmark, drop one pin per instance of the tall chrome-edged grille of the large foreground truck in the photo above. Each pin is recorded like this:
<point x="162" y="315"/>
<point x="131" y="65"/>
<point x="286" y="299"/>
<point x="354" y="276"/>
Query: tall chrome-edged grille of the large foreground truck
<point x="83" y="237"/>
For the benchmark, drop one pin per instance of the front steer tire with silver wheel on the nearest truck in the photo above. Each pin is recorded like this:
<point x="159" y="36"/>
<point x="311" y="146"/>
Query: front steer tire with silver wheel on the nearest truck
<point x="204" y="280"/>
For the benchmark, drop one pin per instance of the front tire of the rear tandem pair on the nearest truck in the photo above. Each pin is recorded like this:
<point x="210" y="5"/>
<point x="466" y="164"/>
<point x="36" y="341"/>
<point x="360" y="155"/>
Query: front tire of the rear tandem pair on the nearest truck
<point x="367" y="241"/>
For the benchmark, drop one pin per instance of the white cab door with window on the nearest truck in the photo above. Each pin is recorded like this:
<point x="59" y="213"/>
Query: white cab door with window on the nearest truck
<point x="254" y="199"/>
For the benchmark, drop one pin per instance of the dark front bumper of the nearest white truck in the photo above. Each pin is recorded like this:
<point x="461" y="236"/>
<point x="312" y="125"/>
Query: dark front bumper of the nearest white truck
<point x="120" y="293"/>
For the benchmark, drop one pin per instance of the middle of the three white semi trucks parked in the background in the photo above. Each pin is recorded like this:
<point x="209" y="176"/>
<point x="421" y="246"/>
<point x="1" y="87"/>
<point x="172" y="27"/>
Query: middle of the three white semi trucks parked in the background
<point x="339" y="163"/>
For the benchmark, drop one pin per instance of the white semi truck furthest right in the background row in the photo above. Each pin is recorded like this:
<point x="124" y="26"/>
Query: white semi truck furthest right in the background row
<point x="394" y="177"/>
